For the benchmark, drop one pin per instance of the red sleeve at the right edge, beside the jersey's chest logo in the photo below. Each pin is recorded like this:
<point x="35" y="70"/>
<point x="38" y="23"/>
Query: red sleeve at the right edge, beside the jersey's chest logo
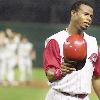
<point x="97" y="67"/>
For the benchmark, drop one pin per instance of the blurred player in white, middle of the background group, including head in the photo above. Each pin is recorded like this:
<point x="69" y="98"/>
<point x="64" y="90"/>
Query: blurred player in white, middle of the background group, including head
<point x="12" y="45"/>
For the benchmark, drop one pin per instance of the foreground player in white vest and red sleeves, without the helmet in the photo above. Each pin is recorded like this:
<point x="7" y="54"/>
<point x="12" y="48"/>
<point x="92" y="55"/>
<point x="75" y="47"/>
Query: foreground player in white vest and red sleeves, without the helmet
<point x="66" y="83"/>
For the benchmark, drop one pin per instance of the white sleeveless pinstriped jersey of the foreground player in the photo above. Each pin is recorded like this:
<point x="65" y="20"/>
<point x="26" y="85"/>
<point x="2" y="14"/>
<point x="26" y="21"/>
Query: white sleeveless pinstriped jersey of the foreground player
<point x="78" y="82"/>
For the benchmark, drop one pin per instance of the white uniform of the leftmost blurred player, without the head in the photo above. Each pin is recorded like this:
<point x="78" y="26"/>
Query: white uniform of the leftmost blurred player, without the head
<point x="5" y="56"/>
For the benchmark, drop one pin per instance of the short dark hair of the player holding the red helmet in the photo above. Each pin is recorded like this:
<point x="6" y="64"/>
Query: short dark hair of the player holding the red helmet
<point x="77" y="4"/>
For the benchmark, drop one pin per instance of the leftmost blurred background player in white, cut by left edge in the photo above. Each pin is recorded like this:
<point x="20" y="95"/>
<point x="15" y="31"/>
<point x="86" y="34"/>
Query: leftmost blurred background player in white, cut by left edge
<point x="5" y="57"/>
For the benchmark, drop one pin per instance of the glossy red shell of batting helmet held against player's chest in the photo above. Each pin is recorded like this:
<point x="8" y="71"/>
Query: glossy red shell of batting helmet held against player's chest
<point x="75" y="48"/>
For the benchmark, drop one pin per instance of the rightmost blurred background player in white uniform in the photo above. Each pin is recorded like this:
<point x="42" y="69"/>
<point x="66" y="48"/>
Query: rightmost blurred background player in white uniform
<point x="25" y="60"/>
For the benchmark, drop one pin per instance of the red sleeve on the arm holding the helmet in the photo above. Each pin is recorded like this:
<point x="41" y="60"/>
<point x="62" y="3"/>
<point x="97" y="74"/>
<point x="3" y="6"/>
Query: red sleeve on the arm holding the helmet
<point x="51" y="55"/>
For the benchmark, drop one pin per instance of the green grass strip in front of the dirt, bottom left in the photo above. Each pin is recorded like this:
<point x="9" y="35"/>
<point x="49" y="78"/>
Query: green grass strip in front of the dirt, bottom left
<point x="21" y="93"/>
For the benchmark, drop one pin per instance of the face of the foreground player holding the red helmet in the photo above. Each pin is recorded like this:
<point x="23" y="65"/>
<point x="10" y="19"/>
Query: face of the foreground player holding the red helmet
<point x="84" y="17"/>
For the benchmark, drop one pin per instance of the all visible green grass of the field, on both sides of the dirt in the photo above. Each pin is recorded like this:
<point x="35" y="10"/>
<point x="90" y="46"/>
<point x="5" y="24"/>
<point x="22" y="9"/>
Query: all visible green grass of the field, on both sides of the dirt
<point x="29" y="93"/>
